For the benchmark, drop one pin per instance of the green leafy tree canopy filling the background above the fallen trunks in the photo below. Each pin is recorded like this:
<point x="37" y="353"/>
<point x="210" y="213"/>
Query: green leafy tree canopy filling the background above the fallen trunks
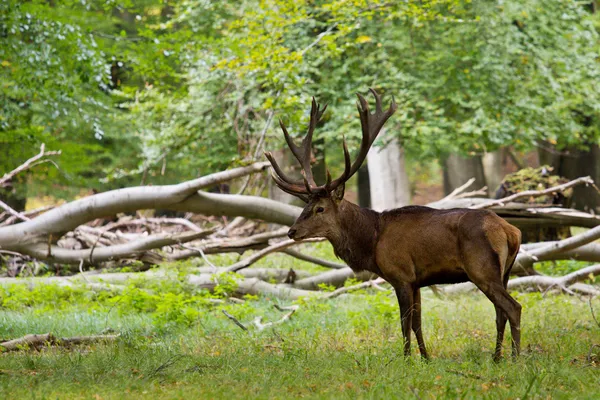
<point x="149" y="90"/>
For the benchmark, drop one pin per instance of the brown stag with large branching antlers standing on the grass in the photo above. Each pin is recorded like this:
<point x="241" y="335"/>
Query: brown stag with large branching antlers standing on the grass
<point x="409" y="247"/>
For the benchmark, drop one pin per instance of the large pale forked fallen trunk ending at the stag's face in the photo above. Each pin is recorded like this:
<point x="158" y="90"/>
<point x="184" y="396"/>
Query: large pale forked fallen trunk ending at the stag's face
<point x="183" y="196"/>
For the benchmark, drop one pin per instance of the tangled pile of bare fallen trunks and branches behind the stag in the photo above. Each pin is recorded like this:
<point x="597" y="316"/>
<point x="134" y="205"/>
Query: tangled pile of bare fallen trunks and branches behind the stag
<point x="96" y="231"/>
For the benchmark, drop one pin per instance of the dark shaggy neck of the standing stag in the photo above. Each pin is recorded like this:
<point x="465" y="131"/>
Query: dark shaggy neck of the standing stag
<point x="355" y="240"/>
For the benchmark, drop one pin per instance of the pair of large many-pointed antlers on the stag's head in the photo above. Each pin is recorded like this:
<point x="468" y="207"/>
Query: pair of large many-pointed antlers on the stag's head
<point x="371" y="126"/>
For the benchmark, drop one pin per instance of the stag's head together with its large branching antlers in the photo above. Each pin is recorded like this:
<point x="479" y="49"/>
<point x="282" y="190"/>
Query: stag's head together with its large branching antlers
<point x="320" y="217"/>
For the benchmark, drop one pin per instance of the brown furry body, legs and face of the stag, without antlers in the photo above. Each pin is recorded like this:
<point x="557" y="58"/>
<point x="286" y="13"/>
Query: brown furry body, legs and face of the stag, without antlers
<point x="412" y="247"/>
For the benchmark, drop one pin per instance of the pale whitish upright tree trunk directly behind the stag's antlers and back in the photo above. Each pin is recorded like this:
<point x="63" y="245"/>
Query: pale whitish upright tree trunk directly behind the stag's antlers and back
<point x="388" y="180"/>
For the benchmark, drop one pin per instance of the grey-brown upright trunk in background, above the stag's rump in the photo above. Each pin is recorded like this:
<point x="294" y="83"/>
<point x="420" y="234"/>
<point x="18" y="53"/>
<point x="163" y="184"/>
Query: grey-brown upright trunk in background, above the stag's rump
<point x="458" y="170"/>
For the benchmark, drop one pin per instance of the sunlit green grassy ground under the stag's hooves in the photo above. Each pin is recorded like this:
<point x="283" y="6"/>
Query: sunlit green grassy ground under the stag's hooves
<point x="174" y="344"/>
